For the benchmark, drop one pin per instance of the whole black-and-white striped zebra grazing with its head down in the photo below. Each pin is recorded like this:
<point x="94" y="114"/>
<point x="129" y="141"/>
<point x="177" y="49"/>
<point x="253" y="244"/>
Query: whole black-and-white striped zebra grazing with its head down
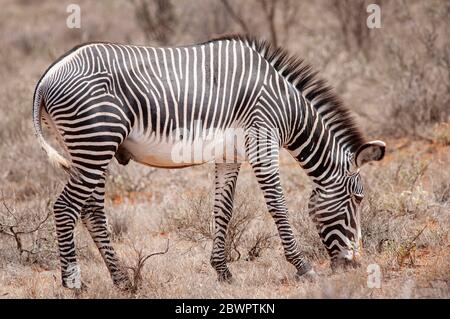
<point x="135" y="102"/>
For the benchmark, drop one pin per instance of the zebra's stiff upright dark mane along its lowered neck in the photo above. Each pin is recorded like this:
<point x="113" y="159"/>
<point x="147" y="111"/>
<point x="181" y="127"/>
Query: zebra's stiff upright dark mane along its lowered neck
<point x="313" y="88"/>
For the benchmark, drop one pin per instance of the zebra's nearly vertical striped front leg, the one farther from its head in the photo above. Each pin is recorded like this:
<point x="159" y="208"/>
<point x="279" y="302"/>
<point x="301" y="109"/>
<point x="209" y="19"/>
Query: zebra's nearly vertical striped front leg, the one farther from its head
<point x="225" y="184"/>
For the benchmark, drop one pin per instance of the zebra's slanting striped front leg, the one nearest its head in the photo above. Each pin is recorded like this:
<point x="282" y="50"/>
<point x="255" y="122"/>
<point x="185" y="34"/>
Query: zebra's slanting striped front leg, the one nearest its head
<point x="263" y="155"/>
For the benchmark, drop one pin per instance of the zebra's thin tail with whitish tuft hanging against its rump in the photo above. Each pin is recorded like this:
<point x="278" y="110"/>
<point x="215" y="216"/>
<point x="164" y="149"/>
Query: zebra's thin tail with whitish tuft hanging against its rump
<point x="56" y="159"/>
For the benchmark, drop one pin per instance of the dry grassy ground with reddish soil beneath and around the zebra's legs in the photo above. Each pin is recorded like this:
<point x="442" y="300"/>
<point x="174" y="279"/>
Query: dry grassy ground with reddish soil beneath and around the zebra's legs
<point x="405" y="232"/>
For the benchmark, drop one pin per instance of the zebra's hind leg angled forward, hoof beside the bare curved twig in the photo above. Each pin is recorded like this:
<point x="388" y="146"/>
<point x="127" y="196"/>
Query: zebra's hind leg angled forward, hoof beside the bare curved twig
<point x="95" y="220"/>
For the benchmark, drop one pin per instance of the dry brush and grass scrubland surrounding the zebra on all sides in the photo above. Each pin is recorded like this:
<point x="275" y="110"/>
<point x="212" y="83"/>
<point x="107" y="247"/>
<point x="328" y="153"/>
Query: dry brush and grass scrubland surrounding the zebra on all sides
<point x="395" y="79"/>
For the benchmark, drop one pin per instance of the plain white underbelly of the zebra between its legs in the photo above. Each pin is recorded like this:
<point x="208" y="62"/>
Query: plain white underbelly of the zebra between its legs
<point x="176" y="153"/>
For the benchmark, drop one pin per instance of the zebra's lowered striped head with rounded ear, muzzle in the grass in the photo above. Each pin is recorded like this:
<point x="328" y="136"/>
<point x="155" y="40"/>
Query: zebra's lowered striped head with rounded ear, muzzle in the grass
<point x="334" y="207"/>
